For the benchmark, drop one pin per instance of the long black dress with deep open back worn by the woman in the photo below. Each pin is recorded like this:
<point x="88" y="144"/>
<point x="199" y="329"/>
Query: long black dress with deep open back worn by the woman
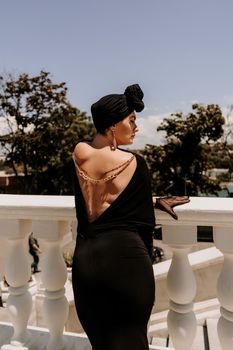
<point x="112" y="275"/>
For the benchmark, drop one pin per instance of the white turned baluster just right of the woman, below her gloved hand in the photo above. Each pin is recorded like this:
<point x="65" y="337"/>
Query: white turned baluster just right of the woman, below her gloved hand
<point x="181" y="285"/>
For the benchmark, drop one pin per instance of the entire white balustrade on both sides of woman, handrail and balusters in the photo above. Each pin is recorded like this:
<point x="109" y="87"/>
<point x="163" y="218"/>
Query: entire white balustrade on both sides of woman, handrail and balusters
<point x="50" y="218"/>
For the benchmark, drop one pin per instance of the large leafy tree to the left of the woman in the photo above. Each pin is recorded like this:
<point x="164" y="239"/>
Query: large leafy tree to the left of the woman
<point x="41" y="129"/>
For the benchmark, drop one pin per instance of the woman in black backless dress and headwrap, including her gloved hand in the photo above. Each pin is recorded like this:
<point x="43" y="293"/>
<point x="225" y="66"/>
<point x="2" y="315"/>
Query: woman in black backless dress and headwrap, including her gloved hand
<point x="112" y="275"/>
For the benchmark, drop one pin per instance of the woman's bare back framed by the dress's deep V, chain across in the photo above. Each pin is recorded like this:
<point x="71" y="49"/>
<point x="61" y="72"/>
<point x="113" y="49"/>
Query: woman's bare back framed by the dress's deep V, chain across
<point x="103" y="174"/>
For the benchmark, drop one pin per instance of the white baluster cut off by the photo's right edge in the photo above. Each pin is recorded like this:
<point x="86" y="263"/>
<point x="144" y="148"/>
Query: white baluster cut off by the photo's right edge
<point x="223" y="238"/>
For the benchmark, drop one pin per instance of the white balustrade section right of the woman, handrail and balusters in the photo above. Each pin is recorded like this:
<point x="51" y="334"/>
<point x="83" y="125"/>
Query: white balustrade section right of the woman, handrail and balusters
<point x="181" y="236"/>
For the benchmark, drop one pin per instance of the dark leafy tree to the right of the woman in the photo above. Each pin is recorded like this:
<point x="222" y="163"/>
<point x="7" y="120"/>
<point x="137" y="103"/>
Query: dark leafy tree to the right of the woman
<point x="179" y="166"/>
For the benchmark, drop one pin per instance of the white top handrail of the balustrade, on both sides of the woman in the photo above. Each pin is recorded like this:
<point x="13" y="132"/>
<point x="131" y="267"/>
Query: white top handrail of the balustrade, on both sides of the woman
<point x="210" y="210"/>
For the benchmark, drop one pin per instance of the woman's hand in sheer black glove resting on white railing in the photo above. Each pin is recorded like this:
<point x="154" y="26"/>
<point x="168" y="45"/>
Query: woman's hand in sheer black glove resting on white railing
<point x="168" y="203"/>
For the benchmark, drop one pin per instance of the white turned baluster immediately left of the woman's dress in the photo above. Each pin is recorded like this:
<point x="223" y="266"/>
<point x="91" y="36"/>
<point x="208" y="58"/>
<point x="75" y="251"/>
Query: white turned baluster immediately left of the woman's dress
<point x="54" y="276"/>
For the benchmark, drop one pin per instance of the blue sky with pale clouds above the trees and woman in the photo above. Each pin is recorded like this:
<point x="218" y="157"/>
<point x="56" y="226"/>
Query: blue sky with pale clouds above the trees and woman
<point x="179" y="51"/>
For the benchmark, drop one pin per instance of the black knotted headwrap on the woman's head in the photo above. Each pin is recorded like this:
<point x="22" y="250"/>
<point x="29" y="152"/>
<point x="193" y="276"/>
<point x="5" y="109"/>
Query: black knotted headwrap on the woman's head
<point x="113" y="108"/>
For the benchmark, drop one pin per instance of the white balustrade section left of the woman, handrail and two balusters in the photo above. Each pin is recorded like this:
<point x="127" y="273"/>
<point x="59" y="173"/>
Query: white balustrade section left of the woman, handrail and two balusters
<point x="50" y="218"/>
